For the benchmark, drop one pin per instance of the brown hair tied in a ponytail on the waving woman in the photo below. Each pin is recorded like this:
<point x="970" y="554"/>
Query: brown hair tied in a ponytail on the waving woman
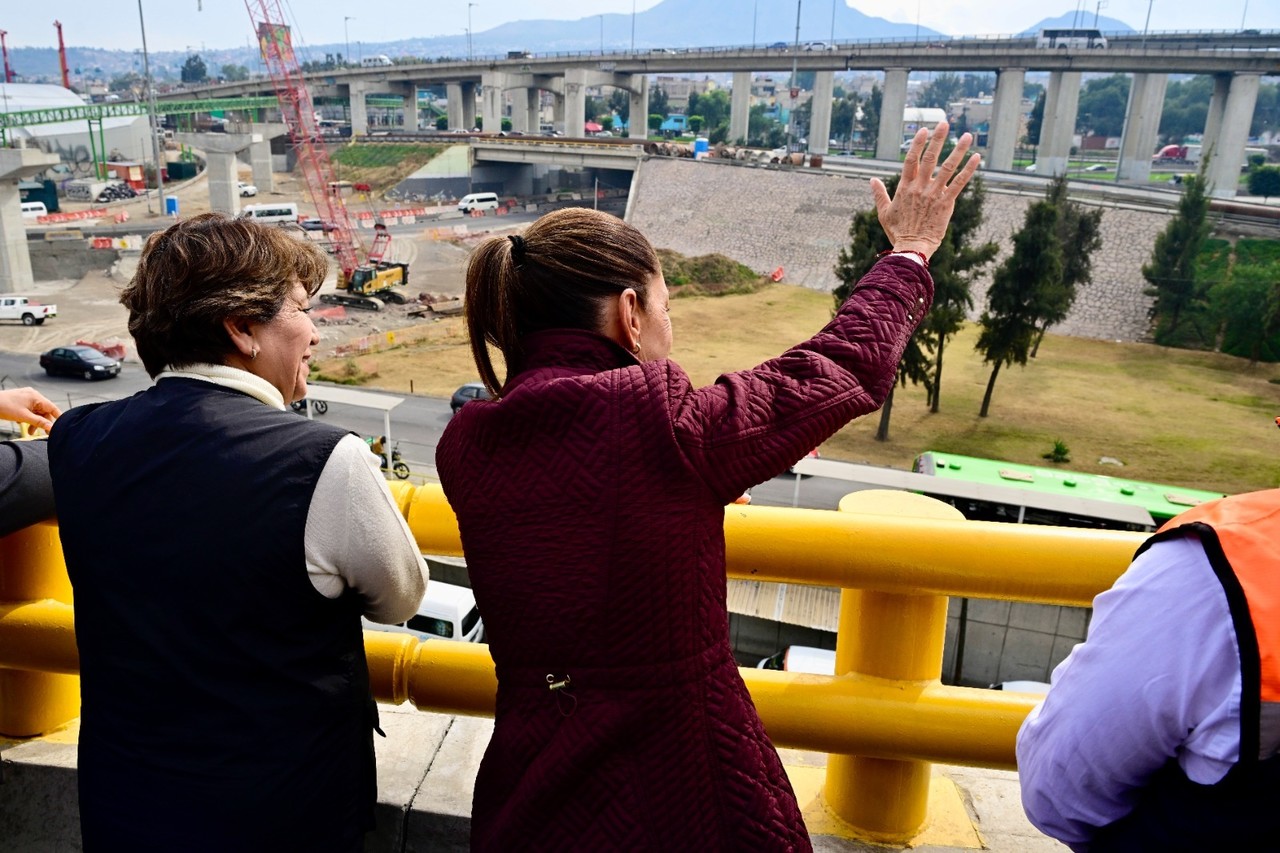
<point x="556" y="276"/>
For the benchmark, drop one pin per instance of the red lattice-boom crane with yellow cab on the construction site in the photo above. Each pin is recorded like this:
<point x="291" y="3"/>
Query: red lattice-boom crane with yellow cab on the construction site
<point x="367" y="284"/>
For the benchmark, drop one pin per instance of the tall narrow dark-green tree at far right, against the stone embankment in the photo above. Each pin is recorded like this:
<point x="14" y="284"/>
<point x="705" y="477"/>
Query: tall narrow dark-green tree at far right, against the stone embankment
<point x="1172" y="272"/>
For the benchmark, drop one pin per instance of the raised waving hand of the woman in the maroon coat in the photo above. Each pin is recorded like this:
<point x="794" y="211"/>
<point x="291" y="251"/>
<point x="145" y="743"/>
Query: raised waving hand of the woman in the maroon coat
<point x="917" y="218"/>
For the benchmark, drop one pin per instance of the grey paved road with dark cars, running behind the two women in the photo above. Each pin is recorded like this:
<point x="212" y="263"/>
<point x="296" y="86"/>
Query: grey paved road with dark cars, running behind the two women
<point x="417" y="426"/>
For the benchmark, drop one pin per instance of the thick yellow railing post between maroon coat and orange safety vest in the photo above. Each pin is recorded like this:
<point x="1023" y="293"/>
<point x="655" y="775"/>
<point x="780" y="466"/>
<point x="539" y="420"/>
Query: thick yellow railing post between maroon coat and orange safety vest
<point x="895" y="637"/>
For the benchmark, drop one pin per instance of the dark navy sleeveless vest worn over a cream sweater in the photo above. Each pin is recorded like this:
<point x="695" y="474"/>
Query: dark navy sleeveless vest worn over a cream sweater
<point x="226" y="703"/>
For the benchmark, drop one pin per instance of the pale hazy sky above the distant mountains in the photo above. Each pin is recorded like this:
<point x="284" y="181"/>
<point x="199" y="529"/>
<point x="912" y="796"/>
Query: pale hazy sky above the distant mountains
<point x="176" y="25"/>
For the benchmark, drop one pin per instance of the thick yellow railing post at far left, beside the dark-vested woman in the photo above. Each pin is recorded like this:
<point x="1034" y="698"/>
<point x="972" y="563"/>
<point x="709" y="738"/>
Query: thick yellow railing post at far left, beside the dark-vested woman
<point x="33" y="569"/>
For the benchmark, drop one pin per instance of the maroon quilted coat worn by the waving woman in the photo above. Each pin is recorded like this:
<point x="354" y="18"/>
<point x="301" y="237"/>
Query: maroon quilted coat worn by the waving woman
<point x="592" y="505"/>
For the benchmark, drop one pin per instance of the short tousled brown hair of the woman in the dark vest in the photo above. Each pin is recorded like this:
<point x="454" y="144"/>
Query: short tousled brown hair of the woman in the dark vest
<point x="198" y="273"/>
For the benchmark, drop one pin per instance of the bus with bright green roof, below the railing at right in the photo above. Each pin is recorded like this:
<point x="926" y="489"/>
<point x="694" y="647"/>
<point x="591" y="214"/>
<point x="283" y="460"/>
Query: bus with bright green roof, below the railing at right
<point x="1058" y="494"/>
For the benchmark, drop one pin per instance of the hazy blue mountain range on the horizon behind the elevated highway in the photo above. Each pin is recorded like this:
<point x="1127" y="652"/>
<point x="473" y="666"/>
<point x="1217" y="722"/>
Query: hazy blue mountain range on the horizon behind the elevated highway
<point x="671" y="24"/>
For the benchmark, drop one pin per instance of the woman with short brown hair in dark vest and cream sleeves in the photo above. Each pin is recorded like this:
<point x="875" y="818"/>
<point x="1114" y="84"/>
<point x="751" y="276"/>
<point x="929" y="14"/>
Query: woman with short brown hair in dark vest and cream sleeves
<point x="222" y="553"/>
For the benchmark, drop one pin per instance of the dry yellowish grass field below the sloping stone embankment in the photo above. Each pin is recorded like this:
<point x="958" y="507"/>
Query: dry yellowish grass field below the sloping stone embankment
<point x="1174" y="417"/>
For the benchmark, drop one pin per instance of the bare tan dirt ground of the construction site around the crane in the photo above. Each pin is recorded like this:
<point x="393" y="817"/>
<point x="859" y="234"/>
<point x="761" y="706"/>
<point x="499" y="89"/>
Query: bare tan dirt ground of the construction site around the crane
<point x="89" y="308"/>
